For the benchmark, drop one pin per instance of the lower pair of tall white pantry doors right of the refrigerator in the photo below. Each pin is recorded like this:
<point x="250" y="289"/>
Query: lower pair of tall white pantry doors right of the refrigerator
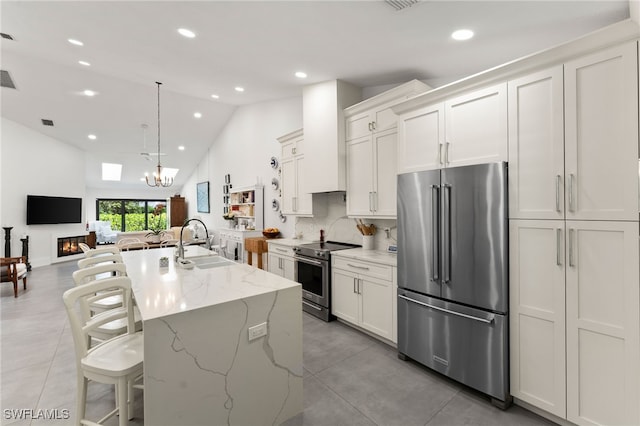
<point x="575" y="319"/>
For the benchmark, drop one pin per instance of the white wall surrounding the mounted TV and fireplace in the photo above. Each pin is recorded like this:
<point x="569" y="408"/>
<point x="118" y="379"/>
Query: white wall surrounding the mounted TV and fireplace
<point x="27" y="168"/>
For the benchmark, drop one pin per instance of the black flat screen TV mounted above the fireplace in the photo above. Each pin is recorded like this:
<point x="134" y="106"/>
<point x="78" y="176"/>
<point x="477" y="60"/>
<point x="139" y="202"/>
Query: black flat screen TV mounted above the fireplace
<point x="43" y="210"/>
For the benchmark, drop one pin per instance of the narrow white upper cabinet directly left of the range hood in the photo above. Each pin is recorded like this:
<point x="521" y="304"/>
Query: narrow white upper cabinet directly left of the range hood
<point x="295" y="198"/>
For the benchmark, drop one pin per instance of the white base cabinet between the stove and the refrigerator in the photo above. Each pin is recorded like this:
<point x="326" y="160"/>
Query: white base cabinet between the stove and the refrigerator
<point x="363" y="294"/>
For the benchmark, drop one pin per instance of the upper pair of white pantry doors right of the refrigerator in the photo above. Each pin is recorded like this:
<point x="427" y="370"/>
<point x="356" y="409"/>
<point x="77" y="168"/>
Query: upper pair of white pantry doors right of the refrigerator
<point x="585" y="166"/>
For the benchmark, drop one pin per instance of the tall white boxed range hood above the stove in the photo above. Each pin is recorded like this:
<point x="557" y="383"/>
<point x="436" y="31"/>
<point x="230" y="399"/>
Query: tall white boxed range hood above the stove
<point x="323" y="107"/>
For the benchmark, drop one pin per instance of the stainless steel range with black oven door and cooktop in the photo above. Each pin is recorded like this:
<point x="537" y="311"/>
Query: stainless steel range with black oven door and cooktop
<point x="313" y="271"/>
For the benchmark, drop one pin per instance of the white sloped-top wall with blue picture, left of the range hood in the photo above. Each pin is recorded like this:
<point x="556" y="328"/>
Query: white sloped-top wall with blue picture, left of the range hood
<point x="243" y="150"/>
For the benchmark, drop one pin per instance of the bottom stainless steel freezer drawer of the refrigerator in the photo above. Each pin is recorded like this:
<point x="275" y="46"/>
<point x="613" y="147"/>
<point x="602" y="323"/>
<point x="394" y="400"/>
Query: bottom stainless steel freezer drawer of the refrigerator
<point x="468" y="345"/>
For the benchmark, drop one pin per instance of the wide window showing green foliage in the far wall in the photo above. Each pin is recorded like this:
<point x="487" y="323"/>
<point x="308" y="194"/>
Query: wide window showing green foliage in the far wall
<point x="133" y="215"/>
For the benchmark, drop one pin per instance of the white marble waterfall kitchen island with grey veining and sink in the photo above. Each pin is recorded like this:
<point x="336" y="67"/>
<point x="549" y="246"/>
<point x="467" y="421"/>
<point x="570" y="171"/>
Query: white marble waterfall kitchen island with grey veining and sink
<point x="222" y="344"/>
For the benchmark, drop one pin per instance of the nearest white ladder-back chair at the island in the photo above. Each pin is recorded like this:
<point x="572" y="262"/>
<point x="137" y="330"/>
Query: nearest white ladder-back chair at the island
<point x="117" y="361"/>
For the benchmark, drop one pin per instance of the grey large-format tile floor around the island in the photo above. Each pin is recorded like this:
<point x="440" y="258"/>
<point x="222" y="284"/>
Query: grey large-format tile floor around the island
<point x="349" y="378"/>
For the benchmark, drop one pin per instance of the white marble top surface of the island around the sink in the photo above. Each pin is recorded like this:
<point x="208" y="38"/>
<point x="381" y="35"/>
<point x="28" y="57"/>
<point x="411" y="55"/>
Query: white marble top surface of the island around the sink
<point x="161" y="292"/>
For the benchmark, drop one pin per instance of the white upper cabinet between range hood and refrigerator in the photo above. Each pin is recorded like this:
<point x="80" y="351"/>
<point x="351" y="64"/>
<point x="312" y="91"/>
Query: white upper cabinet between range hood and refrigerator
<point x="372" y="152"/>
